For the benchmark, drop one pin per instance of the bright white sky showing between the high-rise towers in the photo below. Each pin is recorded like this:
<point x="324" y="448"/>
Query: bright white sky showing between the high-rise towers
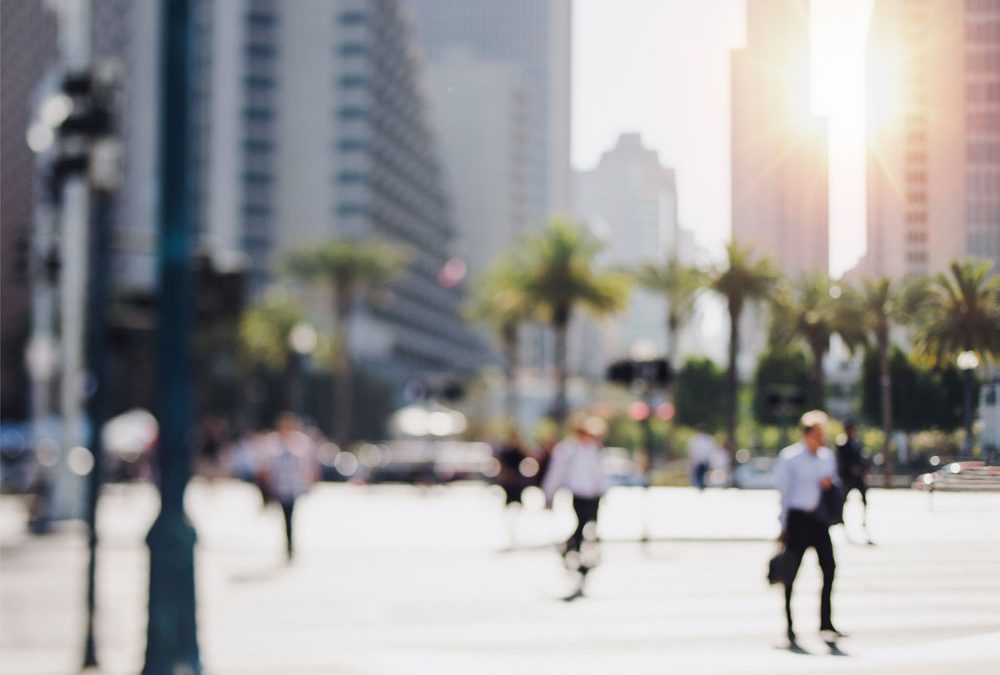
<point x="661" y="67"/>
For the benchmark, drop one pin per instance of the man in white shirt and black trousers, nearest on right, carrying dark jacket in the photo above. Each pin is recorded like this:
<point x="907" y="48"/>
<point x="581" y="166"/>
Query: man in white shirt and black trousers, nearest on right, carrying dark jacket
<point x="804" y="471"/>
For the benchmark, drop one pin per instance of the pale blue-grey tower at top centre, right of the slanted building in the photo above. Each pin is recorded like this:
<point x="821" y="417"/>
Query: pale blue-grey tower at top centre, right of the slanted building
<point x="499" y="86"/>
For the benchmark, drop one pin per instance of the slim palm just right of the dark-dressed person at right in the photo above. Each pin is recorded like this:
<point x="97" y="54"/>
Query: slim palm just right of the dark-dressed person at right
<point x="868" y="315"/>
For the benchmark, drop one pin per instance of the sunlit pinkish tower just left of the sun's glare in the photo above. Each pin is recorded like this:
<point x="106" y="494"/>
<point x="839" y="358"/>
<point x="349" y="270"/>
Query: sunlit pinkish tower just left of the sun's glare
<point x="779" y="154"/>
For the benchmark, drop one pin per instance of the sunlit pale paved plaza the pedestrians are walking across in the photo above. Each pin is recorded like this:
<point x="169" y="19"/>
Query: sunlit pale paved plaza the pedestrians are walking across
<point x="399" y="579"/>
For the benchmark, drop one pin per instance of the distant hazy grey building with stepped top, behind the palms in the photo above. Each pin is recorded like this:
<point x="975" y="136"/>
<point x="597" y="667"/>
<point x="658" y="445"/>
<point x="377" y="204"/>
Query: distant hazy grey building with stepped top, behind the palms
<point x="629" y="200"/>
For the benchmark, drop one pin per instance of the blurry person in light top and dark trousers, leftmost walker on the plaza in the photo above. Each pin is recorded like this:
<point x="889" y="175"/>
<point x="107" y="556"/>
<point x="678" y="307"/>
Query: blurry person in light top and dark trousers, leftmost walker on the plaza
<point x="291" y="469"/>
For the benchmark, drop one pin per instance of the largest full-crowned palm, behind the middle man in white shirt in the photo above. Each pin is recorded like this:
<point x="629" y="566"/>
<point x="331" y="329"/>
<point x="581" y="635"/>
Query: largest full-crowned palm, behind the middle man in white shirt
<point x="560" y="275"/>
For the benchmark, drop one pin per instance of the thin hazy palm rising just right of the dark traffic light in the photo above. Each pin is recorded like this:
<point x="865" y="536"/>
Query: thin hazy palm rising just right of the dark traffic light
<point x="680" y="285"/>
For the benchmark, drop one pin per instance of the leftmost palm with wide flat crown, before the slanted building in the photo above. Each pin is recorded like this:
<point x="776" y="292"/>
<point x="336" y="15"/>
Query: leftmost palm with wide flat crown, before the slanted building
<point x="346" y="266"/>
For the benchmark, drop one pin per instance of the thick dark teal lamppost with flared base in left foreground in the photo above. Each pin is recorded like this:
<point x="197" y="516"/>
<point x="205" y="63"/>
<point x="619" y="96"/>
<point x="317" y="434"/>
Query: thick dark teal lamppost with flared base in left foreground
<point x="172" y="643"/>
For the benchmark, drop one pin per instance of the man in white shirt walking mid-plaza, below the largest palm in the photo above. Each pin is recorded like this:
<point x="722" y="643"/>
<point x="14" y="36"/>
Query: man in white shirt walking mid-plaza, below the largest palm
<point x="576" y="465"/>
